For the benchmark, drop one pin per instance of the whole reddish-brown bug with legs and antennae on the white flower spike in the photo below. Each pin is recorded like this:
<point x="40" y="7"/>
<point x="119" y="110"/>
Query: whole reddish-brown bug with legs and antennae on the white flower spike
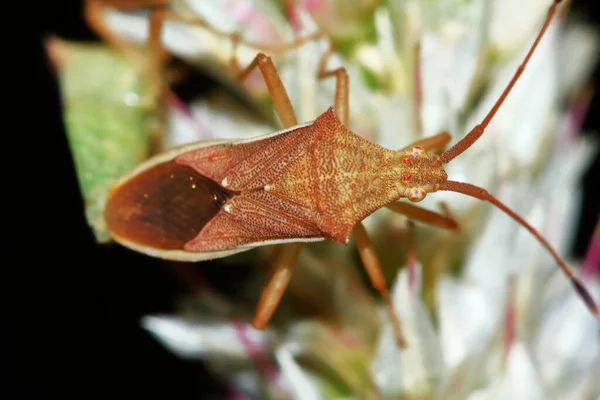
<point x="308" y="182"/>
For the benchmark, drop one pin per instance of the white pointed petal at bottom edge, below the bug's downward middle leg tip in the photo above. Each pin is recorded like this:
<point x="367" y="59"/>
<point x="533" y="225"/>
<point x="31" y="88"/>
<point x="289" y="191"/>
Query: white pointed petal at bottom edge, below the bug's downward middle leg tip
<point x="419" y="369"/>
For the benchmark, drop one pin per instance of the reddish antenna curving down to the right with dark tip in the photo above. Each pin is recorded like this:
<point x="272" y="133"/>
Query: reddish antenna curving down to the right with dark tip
<point x="482" y="194"/>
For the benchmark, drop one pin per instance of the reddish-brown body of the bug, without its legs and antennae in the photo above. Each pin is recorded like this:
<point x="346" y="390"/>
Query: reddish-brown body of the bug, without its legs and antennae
<point x="311" y="182"/>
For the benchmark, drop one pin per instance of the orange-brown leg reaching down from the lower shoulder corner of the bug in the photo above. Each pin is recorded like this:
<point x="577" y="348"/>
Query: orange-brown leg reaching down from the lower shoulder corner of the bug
<point x="371" y="263"/>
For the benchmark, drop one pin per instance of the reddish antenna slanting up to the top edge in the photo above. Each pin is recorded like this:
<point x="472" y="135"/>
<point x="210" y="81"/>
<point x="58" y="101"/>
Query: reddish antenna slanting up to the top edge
<point x="478" y="130"/>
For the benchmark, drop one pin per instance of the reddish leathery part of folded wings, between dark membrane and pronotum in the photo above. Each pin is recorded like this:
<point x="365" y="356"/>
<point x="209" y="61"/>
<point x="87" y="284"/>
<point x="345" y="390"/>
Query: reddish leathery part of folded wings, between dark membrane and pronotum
<point x="261" y="210"/>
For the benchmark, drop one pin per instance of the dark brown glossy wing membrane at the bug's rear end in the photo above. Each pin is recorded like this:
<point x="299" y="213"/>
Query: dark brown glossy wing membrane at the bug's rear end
<point x="163" y="207"/>
